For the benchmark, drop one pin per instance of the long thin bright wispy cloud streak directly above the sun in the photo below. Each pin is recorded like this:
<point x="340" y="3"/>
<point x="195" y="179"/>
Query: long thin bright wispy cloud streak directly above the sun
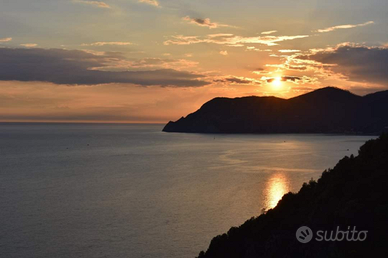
<point x="231" y="40"/>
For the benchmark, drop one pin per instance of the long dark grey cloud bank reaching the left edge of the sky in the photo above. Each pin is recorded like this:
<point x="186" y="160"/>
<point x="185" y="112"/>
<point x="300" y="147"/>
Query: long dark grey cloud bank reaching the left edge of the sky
<point x="76" y="67"/>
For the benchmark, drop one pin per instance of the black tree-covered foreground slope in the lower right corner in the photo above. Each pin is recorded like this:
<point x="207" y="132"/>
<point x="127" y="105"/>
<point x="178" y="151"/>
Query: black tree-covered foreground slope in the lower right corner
<point x="353" y="194"/>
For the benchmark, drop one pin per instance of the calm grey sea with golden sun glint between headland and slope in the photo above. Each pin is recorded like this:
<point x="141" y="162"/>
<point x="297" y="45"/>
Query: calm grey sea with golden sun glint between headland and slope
<point x="132" y="191"/>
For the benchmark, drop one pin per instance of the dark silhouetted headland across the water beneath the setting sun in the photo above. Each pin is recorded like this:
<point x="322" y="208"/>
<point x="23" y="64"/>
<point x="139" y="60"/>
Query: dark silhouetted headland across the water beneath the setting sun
<point x="327" y="110"/>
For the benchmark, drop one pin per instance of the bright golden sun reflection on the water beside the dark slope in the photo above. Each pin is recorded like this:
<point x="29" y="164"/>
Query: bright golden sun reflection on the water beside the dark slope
<point x="277" y="186"/>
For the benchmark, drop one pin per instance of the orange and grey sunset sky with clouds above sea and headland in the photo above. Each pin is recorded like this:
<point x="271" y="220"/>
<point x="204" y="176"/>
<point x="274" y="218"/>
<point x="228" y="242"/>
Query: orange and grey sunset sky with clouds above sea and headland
<point x="158" y="60"/>
